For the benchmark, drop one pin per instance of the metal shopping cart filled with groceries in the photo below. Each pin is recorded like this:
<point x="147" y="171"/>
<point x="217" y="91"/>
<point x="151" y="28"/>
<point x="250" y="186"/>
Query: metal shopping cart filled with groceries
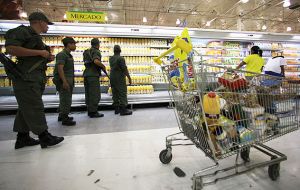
<point x="251" y="113"/>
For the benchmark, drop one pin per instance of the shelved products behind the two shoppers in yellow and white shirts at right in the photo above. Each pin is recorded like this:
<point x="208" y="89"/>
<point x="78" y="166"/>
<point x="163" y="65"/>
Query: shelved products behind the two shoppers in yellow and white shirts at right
<point x="231" y="53"/>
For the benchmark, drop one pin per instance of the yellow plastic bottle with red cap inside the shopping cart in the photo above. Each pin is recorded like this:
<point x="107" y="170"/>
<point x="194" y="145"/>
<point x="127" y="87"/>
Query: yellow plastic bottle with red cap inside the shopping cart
<point x="211" y="105"/>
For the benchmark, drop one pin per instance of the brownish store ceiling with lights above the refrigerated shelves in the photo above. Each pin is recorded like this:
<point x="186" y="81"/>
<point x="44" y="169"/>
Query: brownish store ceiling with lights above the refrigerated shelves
<point x="223" y="14"/>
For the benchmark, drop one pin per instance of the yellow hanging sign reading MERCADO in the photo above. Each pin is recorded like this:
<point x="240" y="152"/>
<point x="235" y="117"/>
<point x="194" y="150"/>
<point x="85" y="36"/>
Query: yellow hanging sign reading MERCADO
<point x="85" y="16"/>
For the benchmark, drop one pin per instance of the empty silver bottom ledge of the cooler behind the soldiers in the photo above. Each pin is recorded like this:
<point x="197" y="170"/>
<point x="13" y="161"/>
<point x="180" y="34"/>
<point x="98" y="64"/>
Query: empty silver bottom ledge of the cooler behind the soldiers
<point x="51" y="101"/>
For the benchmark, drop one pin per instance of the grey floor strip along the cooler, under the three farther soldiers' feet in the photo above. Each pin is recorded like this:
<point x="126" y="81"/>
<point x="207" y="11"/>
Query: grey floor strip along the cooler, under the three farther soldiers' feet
<point x="150" y="118"/>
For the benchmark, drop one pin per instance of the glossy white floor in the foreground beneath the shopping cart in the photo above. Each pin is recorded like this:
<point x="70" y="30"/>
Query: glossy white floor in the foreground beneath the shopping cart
<point x="129" y="160"/>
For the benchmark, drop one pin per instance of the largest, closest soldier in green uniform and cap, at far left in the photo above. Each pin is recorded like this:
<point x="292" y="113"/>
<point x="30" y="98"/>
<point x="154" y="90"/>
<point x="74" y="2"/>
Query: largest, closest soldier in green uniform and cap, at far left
<point x="26" y="43"/>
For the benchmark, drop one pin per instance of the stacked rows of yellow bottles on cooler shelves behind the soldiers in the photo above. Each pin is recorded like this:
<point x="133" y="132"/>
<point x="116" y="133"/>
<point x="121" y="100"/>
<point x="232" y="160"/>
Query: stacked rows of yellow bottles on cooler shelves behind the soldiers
<point x="138" y="54"/>
